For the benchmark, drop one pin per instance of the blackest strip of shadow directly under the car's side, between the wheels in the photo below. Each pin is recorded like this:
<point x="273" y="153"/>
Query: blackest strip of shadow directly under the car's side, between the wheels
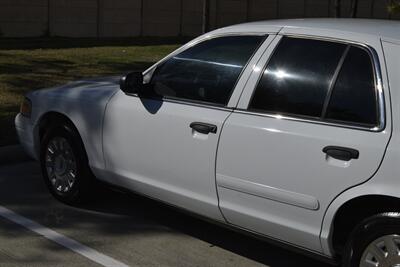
<point x="120" y="203"/>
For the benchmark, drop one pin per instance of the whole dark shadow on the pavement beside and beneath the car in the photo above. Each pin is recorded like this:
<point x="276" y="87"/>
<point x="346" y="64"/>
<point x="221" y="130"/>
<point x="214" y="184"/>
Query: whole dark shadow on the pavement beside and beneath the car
<point x="129" y="216"/>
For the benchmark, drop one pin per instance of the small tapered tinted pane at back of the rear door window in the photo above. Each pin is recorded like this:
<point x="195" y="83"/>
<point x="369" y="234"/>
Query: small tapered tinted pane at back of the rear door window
<point x="353" y="97"/>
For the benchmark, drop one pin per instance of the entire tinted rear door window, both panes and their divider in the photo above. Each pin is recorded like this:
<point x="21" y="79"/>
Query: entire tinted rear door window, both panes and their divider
<point x="324" y="80"/>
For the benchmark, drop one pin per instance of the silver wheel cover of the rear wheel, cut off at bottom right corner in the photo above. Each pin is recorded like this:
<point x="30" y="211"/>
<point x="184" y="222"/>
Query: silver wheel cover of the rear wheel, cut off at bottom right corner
<point x="383" y="252"/>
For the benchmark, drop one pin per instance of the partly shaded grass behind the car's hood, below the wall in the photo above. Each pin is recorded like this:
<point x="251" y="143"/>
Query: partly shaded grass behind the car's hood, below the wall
<point x="32" y="64"/>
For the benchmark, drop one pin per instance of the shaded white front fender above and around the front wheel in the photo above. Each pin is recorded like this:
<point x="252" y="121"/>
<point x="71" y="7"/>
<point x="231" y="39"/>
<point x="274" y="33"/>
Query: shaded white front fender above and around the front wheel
<point x="84" y="104"/>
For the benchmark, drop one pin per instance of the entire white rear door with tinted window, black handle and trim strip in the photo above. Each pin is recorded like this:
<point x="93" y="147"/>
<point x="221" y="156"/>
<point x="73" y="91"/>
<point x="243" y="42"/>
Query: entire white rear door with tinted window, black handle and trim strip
<point x="310" y="124"/>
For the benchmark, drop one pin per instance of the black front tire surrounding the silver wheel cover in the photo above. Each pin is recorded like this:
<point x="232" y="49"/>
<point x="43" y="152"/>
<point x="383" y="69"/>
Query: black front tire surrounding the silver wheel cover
<point x="84" y="179"/>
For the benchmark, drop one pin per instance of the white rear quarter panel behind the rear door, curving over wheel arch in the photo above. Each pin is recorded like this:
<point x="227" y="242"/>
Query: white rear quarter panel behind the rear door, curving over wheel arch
<point x="386" y="181"/>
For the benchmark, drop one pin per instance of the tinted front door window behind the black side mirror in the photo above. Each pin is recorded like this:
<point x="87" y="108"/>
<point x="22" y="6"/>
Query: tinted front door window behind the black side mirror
<point x="206" y="72"/>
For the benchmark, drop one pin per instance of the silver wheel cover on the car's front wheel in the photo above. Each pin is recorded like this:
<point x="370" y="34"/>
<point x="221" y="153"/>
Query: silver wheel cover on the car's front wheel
<point x="60" y="165"/>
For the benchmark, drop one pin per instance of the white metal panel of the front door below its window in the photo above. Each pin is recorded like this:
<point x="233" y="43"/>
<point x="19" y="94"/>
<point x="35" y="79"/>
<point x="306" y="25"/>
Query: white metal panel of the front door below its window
<point x="145" y="140"/>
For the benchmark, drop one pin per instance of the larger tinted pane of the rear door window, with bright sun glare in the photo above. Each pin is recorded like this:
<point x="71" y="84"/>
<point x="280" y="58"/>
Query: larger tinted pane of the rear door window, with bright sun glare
<point x="297" y="77"/>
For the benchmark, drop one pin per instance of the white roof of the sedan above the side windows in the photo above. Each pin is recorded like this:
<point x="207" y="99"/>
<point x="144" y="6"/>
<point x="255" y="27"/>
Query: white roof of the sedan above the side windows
<point x="383" y="28"/>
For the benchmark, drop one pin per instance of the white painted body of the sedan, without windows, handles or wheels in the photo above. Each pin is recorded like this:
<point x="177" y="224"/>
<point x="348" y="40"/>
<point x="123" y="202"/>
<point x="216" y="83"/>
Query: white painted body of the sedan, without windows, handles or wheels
<point x="224" y="176"/>
